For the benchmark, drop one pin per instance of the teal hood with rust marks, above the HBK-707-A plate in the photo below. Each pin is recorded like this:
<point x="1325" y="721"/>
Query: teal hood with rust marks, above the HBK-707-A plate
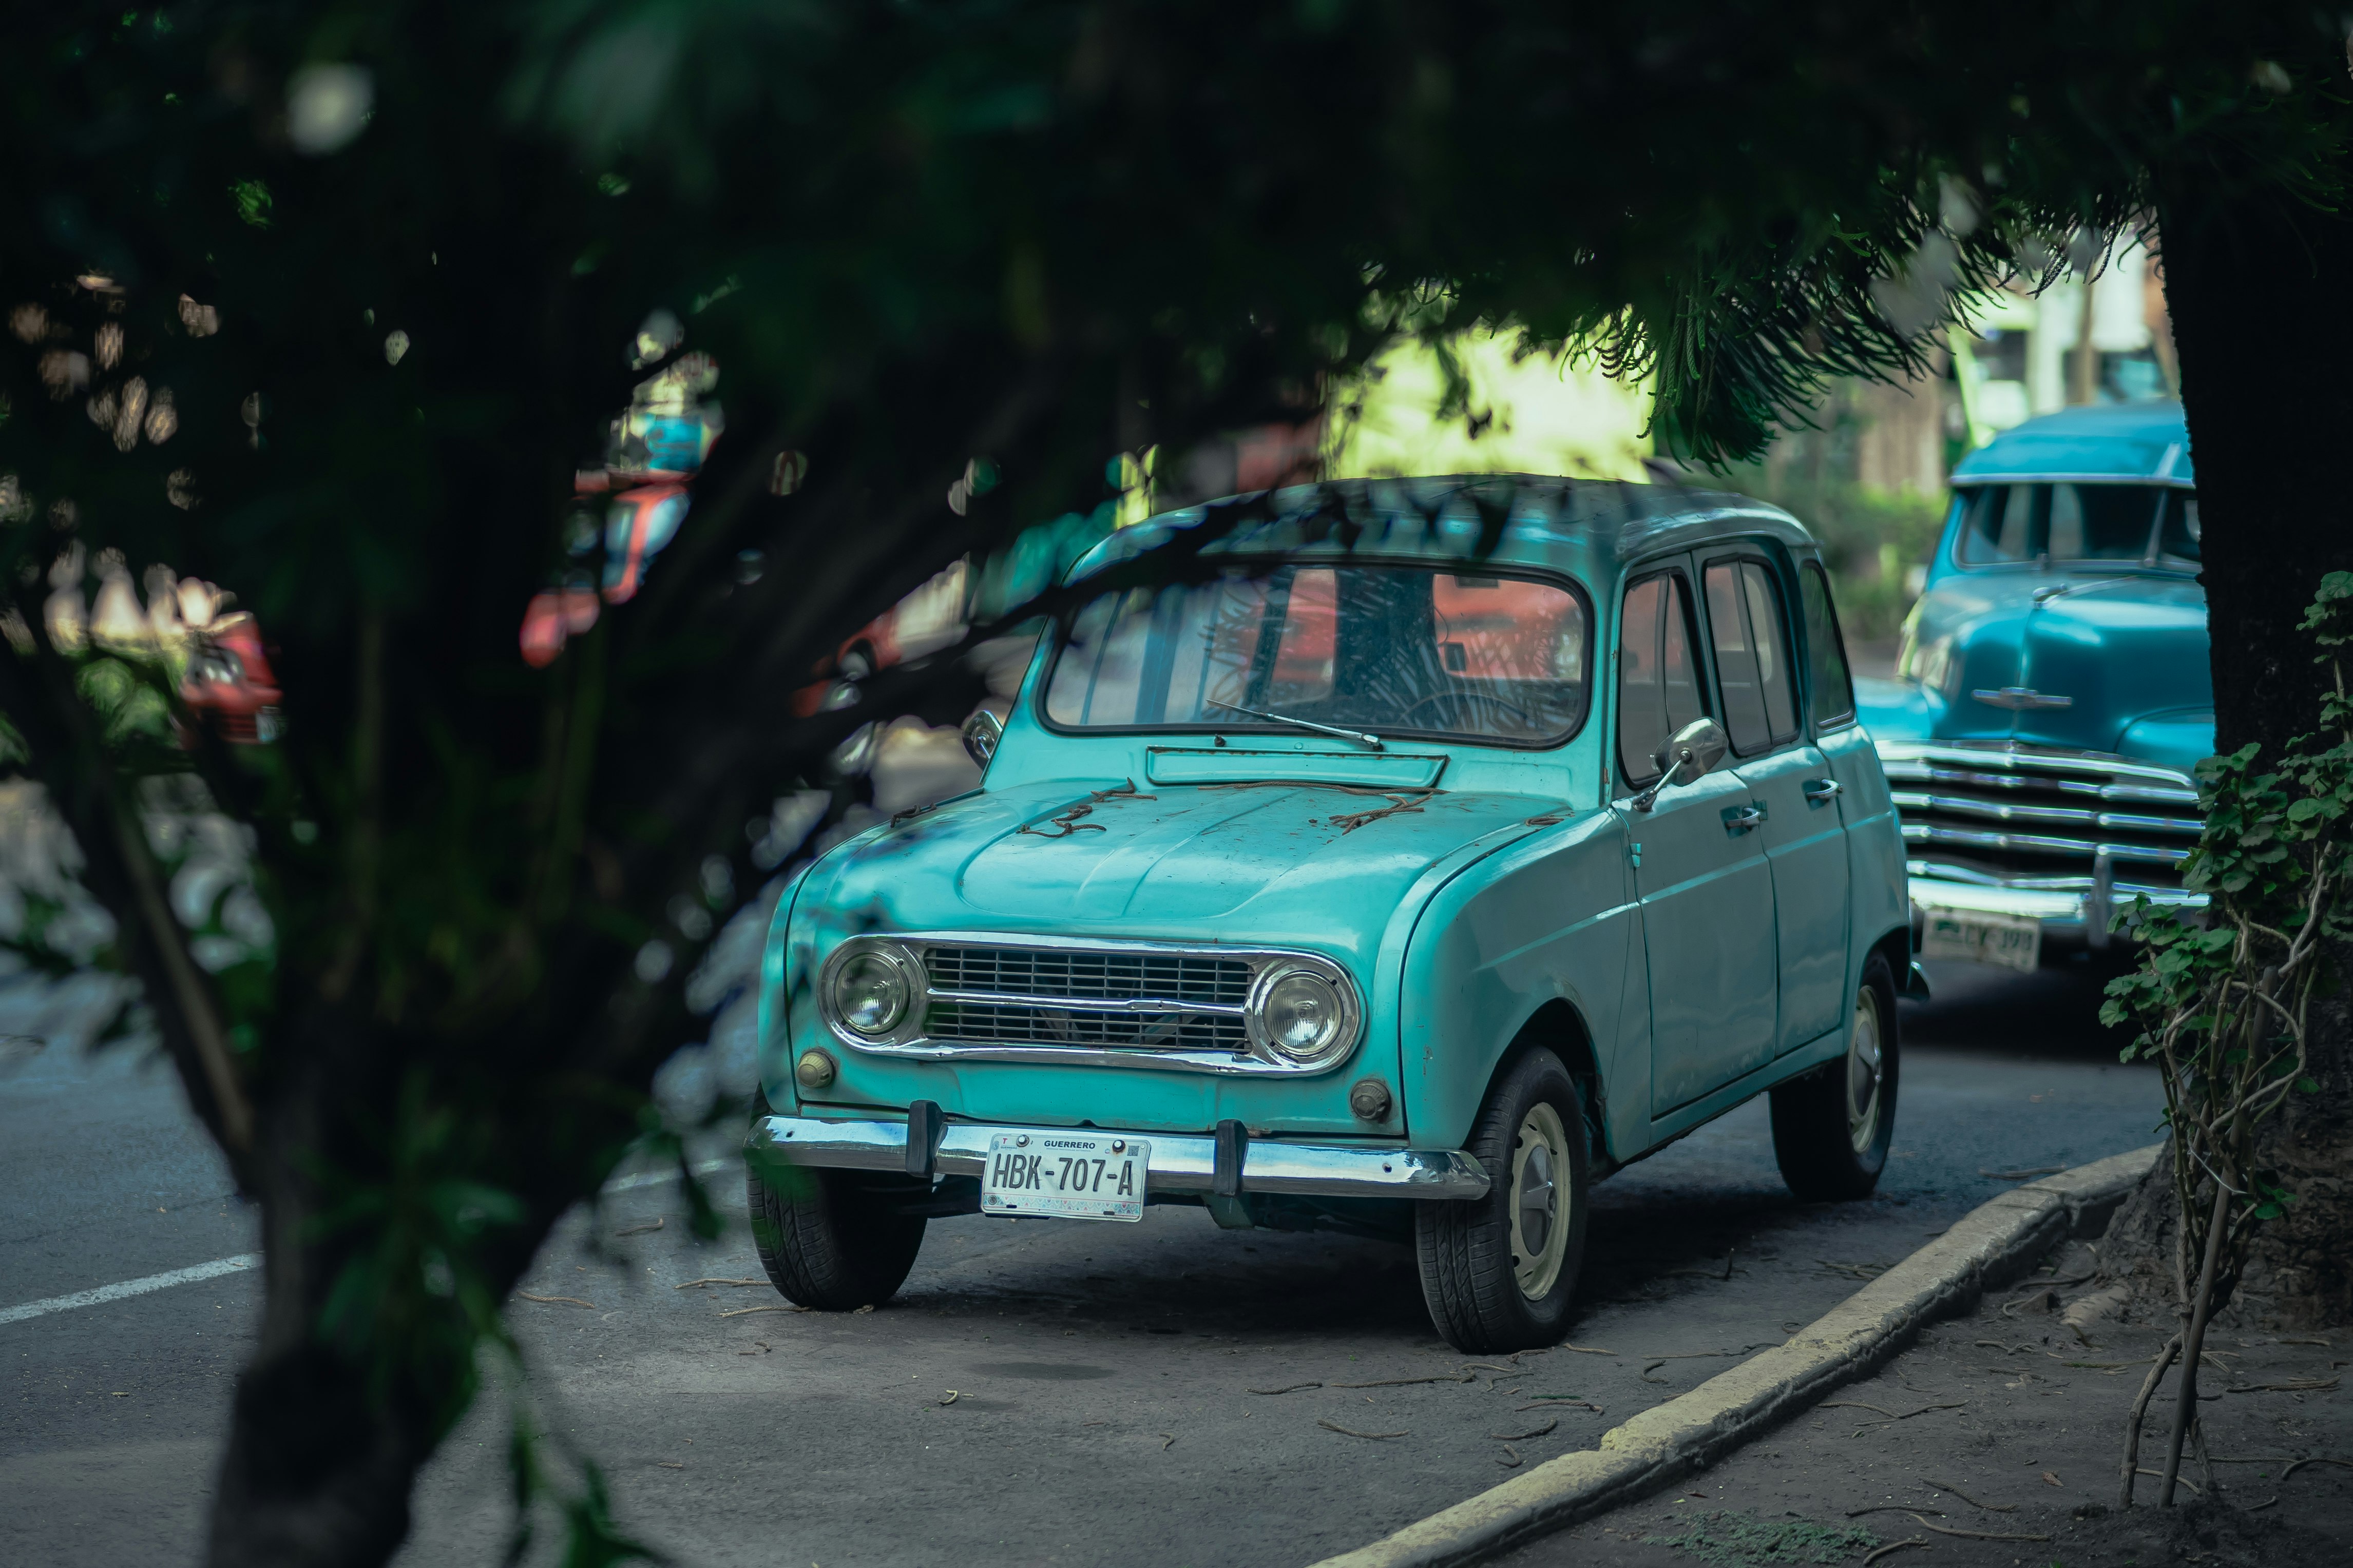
<point x="1244" y="864"/>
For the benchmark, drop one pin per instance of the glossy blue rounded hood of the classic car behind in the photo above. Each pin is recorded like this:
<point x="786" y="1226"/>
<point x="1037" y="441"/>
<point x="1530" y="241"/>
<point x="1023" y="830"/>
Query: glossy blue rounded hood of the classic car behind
<point x="1992" y="662"/>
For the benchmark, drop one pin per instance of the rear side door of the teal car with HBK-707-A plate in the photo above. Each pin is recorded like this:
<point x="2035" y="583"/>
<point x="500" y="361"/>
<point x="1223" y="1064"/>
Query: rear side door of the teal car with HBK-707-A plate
<point x="1797" y="798"/>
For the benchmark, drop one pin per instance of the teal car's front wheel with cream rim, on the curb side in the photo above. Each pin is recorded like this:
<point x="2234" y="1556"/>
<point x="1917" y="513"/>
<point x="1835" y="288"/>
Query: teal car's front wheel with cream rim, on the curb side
<point x="1491" y="1282"/>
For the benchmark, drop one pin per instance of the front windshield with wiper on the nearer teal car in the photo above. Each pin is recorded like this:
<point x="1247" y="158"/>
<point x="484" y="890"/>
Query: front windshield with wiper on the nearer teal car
<point x="1382" y="650"/>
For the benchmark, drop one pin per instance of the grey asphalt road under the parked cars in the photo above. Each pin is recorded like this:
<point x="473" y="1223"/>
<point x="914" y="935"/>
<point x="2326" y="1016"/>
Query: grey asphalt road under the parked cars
<point x="1102" y="1374"/>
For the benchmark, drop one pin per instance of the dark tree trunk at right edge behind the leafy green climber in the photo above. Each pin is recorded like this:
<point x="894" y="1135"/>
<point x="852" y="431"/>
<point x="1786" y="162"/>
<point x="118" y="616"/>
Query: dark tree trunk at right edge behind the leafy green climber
<point x="2258" y="293"/>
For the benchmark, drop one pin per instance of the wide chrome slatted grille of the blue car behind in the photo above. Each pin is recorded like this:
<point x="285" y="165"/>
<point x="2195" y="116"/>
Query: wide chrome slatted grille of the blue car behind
<point x="2044" y="819"/>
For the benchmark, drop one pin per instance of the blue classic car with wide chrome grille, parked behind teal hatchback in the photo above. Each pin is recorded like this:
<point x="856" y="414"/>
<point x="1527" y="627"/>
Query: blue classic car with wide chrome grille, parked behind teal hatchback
<point x="2053" y="690"/>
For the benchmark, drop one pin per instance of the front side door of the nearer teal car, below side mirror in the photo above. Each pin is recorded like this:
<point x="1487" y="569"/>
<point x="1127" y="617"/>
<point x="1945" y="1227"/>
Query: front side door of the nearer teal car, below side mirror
<point x="1702" y="883"/>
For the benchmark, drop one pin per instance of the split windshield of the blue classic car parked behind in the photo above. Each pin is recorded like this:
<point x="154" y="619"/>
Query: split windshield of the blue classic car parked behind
<point x="2145" y="525"/>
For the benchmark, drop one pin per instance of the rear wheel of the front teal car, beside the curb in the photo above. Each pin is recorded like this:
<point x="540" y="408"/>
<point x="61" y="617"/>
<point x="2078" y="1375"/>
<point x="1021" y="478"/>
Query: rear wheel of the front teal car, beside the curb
<point x="1825" y="1151"/>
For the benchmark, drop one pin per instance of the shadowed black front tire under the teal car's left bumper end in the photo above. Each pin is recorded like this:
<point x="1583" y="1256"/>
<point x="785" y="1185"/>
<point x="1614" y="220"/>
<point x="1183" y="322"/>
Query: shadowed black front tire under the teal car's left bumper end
<point x="832" y="1240"/>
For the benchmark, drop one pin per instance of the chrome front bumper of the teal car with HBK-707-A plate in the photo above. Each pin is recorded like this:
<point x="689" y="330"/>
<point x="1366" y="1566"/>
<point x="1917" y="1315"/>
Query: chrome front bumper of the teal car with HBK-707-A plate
<point x="1182" y="1162"/>
